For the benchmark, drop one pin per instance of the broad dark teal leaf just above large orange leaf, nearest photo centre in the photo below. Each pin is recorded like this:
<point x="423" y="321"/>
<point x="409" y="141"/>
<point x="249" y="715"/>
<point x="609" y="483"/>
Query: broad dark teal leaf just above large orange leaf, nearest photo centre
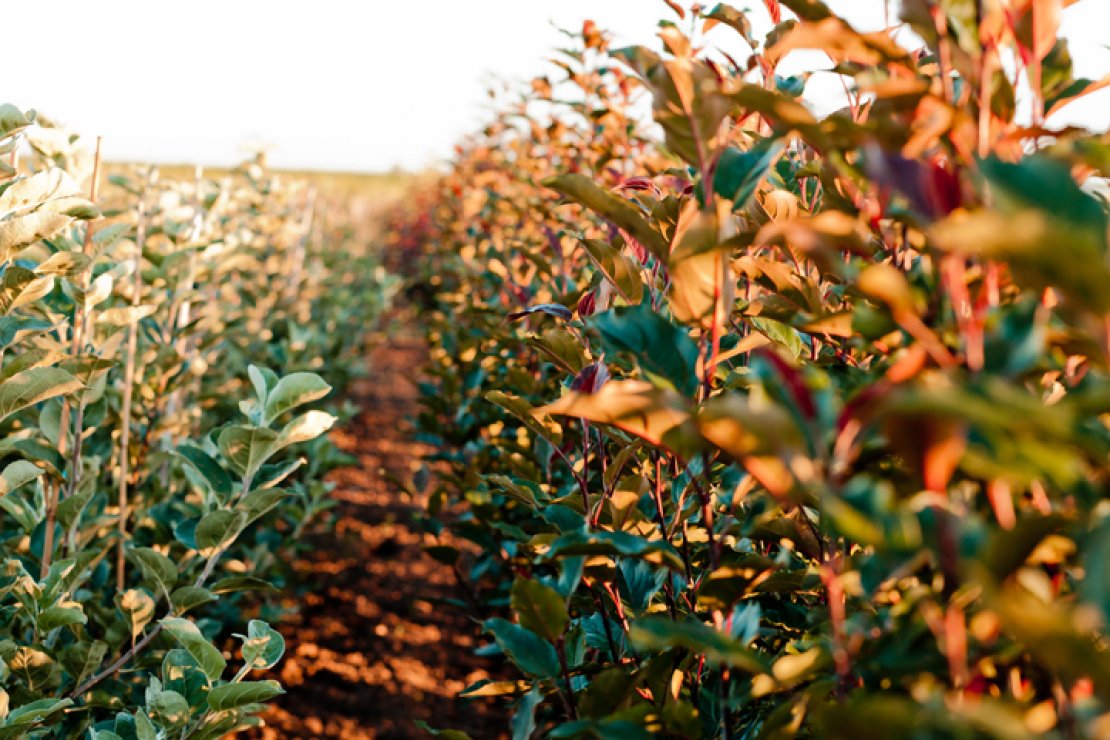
<point x="660" y="348"/>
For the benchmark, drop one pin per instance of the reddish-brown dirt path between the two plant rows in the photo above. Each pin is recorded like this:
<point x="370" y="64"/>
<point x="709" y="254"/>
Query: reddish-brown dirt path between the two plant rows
<point x="374" y="647"/>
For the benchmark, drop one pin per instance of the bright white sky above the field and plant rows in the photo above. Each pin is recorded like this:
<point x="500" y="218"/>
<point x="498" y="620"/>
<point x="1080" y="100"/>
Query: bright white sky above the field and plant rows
<point x="336" y="85"/>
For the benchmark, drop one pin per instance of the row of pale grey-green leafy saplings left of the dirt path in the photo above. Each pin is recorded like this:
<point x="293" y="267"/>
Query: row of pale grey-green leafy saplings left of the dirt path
<point x="152" y="482"/>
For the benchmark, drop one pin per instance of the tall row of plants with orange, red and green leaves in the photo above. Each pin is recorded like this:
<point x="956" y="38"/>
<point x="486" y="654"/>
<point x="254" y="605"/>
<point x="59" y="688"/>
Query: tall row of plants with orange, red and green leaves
<point x="784" y="425"/>
